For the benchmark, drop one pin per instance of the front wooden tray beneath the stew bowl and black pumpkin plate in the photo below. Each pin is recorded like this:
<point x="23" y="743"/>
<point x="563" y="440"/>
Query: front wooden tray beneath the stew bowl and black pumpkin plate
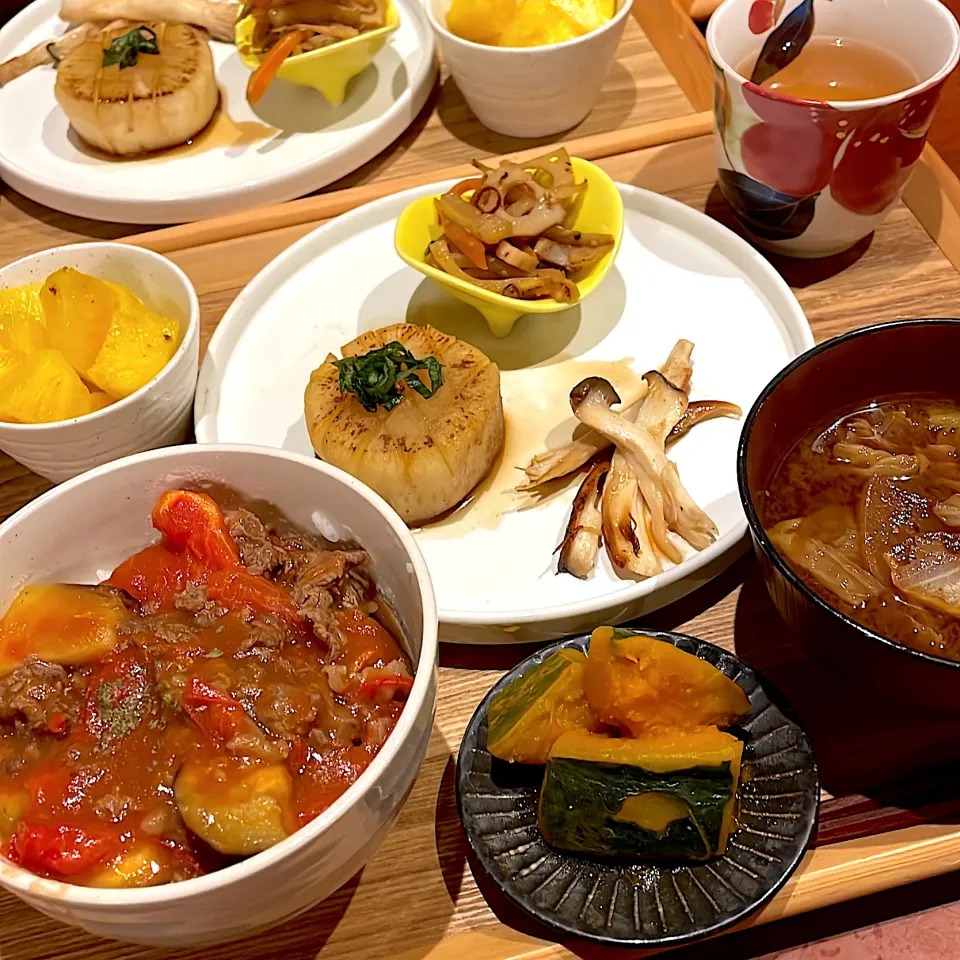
<point x="417" y="897"/>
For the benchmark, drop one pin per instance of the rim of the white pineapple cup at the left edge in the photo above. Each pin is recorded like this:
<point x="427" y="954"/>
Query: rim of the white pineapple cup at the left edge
<point x="190" y="330"/>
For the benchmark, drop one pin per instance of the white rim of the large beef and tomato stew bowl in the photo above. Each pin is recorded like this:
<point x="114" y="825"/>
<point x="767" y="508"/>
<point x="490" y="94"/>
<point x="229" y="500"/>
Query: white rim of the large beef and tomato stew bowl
<point x="19" y="880"/>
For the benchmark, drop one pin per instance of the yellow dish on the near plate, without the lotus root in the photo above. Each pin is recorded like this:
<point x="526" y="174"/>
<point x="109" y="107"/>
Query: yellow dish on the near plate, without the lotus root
<point x="600" y="212"/>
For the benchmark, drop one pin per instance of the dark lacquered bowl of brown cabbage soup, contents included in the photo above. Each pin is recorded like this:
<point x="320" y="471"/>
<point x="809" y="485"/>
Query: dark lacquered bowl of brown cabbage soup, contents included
<point x="849" y="474"/>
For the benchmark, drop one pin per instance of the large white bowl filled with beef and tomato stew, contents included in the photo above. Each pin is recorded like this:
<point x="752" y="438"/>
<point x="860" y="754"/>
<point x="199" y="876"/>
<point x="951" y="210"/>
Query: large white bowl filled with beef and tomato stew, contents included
<point x="218" y="672"/>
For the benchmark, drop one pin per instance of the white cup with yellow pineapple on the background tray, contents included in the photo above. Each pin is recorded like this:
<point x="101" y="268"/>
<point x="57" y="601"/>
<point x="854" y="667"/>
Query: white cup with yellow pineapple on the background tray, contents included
<point x="529" y="68"/>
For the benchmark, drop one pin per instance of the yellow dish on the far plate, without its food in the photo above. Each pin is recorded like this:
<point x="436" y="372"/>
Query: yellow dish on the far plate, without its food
<point x="328" y="69"/>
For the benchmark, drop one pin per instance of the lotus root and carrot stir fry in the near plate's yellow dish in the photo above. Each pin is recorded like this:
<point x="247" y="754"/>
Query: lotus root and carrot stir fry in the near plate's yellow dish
<point x="511" y="230"/>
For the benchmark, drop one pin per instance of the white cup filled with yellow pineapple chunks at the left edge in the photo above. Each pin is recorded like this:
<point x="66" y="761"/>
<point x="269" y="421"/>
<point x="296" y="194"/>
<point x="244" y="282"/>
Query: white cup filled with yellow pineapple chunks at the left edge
<point x="99" y="351"/>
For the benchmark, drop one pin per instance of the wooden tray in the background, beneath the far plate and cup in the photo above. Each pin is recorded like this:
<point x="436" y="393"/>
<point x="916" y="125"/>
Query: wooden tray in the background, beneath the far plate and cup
<point x="640" y="89"/>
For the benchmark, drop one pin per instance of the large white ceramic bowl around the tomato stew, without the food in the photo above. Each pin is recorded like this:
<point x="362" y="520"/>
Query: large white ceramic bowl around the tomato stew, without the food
<point x="82" y="529"/>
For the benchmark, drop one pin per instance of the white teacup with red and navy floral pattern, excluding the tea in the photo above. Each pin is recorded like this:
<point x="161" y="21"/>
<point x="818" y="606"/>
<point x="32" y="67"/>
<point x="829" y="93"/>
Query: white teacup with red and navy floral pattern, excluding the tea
<point x="810" y="178"/>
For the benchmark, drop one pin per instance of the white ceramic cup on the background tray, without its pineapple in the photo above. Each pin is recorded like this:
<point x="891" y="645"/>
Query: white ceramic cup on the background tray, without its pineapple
<point x="530" y="91"/>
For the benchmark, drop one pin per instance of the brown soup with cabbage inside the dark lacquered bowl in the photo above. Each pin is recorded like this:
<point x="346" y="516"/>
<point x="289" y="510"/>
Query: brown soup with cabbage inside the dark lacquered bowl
<point x="867" y="512"/>
